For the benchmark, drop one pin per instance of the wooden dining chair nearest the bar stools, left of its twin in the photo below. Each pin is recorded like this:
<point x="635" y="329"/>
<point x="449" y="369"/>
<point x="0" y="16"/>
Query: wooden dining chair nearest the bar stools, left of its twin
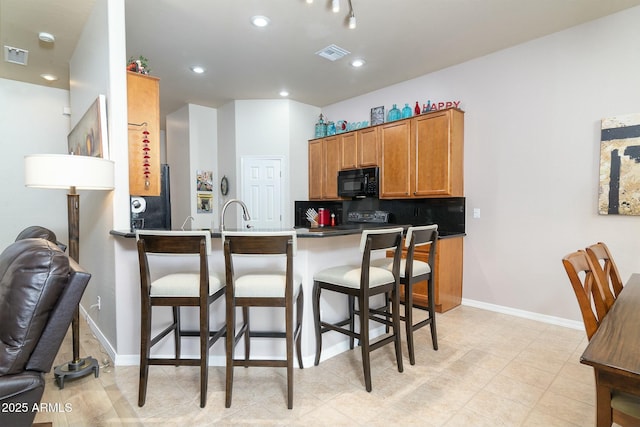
<point x="587" y="286"/>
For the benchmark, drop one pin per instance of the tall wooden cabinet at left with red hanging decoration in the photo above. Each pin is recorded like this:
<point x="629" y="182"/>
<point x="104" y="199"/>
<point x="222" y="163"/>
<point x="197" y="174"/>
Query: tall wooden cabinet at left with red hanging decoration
<point x="143" y="110"/>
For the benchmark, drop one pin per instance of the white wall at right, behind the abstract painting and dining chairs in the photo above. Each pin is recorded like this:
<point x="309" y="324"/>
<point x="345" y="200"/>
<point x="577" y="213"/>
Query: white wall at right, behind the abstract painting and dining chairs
<point x="531" y="157"/>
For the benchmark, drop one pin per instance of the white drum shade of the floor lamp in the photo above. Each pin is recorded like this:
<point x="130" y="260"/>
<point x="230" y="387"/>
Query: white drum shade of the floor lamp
<point x="65" y="171"/>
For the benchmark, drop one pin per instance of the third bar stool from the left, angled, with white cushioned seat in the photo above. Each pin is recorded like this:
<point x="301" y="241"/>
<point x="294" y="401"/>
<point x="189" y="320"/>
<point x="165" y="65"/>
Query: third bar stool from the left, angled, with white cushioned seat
<point x="362" y="282"/>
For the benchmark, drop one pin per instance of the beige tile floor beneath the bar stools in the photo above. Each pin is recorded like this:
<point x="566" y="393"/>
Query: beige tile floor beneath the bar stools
<point x="491" y="369"/>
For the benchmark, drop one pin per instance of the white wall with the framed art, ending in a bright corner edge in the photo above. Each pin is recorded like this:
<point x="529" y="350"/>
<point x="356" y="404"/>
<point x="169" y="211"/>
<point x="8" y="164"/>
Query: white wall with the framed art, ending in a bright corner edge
<point x="96" y="67"/>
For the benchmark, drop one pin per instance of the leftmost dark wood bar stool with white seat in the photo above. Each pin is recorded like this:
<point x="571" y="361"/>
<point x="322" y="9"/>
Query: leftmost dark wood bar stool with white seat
<point x="192" y="289"/>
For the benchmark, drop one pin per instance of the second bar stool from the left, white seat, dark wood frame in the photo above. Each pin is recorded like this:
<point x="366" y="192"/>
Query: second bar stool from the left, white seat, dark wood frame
<point x="262" y="285"/>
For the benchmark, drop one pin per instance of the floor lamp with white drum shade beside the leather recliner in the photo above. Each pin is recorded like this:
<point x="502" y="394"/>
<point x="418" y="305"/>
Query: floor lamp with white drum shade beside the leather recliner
<point x="69" y="172"/>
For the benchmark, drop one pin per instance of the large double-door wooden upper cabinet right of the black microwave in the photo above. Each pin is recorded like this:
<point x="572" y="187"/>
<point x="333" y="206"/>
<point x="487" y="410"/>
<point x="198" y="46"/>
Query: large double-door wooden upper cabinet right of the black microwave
<point x="423" y="156"/>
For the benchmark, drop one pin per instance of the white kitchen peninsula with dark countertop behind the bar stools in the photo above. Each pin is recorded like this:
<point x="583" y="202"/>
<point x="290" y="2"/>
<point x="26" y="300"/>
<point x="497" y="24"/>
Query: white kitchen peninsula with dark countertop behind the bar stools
<point x="317" y="249"/>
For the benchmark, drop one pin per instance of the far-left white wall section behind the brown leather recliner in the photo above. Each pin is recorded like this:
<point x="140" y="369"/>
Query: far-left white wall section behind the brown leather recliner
<point x="31" y="122"/>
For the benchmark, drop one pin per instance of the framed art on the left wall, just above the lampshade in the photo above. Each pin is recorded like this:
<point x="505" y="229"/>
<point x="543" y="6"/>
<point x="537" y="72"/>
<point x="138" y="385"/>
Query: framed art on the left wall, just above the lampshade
<point x="89" y="136"/>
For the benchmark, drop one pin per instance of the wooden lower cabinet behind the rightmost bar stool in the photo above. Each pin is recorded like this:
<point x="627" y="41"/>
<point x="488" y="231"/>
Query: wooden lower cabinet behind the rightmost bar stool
<point x="448" y="274"/>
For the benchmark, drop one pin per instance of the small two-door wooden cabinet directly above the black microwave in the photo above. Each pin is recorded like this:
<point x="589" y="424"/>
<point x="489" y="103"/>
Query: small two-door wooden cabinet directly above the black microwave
<point x="359" y="149"/>
